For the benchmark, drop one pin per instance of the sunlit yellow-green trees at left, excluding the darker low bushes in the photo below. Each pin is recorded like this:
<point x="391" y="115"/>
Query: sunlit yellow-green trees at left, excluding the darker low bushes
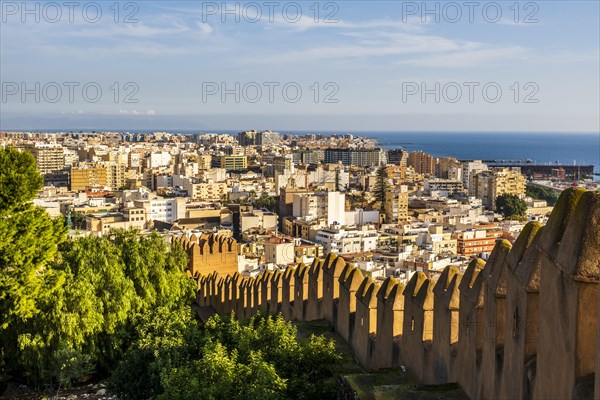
<point x="67" y="306"/>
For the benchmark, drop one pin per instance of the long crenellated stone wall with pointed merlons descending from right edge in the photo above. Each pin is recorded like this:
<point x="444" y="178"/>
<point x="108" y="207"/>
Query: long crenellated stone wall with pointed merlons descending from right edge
<point x="522" y="325"/>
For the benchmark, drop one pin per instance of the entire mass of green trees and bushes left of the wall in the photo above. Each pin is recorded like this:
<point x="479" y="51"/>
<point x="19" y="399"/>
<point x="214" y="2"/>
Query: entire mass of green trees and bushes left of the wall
<point x="120" y="305"/>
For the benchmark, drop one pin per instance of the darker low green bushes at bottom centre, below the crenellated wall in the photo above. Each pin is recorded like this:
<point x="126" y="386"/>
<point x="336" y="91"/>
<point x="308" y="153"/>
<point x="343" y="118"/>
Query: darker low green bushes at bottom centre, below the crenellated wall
<point x="225" y="359"/>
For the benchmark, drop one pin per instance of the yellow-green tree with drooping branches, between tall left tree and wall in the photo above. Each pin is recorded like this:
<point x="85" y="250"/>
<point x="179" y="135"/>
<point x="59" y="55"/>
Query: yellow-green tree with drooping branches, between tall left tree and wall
<point x="95" y="294"/>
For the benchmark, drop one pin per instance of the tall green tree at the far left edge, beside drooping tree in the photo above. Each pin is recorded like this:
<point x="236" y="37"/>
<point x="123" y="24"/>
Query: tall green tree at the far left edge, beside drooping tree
<point x="29" y="241"/>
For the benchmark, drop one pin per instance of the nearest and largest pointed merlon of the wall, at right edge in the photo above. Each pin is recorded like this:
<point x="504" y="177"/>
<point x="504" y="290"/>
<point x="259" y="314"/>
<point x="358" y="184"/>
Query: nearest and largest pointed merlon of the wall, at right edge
<point x="568" y="290"/>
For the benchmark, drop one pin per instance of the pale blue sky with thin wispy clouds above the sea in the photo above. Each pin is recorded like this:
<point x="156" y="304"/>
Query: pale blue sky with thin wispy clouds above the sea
<point x="305" y="65"/>
